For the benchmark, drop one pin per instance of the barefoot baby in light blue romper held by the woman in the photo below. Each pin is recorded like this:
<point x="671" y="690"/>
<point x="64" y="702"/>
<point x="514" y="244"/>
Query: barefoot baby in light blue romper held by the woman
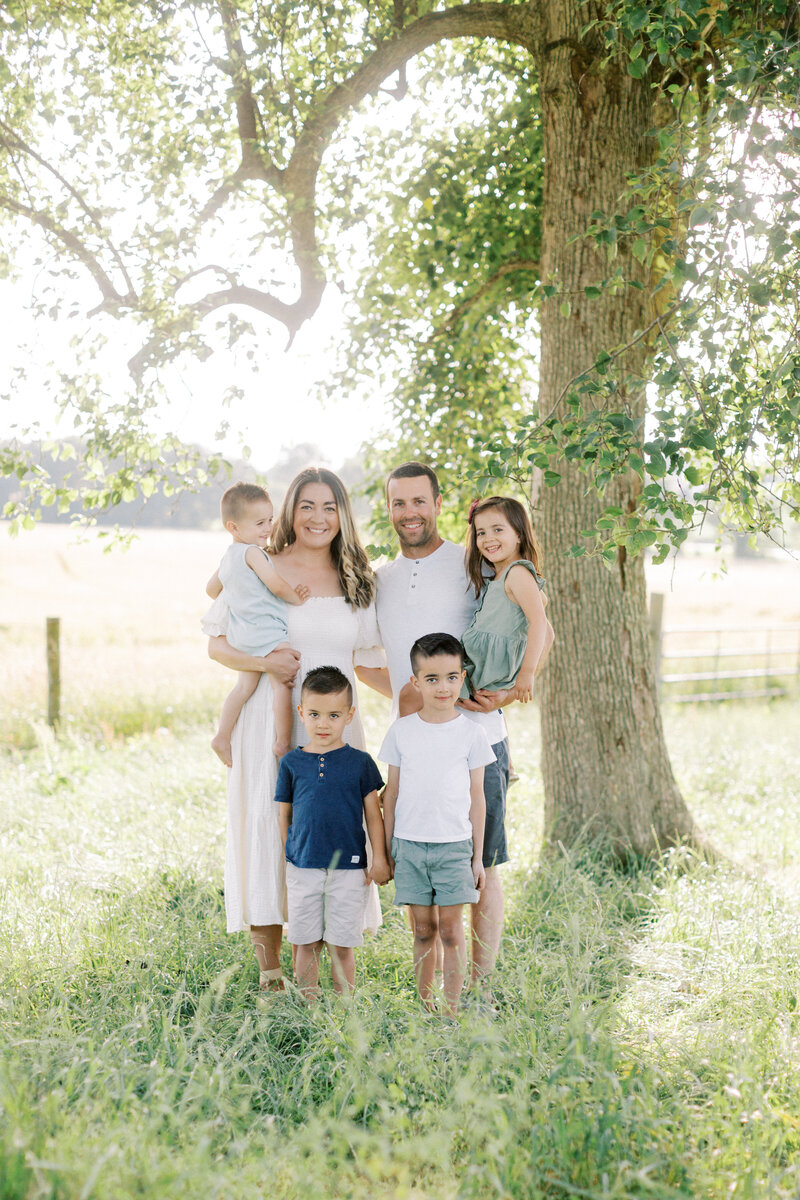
<point x="257" y="597"/>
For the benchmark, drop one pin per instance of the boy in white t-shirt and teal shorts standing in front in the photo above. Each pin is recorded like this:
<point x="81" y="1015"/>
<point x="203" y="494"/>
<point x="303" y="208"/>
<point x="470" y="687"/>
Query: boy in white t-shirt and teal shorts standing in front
<point x="435" y="813"/>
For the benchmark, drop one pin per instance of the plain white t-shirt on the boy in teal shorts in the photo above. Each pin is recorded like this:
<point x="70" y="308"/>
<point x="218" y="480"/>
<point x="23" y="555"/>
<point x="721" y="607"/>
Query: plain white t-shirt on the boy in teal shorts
<point x="435" y="764"/>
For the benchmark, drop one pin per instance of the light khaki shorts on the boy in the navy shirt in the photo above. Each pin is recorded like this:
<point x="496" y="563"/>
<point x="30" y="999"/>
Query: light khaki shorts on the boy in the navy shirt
<point x="326" y="905"/>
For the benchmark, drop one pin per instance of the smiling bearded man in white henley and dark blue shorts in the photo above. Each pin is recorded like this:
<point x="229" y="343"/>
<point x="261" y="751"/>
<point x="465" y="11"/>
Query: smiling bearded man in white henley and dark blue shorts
<point x="425" y="590"/>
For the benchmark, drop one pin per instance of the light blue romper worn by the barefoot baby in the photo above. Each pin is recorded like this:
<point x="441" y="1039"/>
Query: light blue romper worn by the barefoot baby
<point x="258" y="620"/>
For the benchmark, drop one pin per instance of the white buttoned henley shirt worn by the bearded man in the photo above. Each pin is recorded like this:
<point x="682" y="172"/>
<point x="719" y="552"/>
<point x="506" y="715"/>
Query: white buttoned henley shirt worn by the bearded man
<point x="428" y="596"/>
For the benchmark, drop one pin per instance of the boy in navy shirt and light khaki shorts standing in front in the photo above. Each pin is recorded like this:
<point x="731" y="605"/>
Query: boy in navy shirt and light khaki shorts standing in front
<point x="326" y="791"/>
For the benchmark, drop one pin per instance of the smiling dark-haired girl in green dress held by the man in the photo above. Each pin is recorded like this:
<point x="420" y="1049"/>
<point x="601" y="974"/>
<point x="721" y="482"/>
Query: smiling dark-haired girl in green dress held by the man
<point x="510" y="638"/>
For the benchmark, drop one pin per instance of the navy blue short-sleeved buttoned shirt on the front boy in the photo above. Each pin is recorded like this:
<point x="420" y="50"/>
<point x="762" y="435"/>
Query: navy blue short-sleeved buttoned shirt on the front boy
<point x="327" y="794"/>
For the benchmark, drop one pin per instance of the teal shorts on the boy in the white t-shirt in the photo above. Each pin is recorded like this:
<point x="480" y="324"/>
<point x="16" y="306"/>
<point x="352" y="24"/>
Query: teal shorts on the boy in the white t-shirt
<point x="429" y="873"/>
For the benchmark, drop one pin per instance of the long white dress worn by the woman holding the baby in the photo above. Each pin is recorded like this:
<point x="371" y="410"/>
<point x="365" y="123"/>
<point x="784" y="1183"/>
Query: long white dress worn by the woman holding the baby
<point x="327" y="632"/>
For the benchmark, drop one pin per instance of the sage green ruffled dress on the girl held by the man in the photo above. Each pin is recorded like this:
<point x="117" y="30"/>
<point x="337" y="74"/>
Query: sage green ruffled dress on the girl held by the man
<point x="495" y="644"/>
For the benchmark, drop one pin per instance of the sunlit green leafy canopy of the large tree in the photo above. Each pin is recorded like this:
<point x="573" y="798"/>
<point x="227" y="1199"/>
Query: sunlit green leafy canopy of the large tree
<point x="200" y="166"/>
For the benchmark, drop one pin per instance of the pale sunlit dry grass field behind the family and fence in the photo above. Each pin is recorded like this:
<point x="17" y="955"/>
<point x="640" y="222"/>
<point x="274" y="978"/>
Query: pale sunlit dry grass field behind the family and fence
<point x="130" y="620"/>
